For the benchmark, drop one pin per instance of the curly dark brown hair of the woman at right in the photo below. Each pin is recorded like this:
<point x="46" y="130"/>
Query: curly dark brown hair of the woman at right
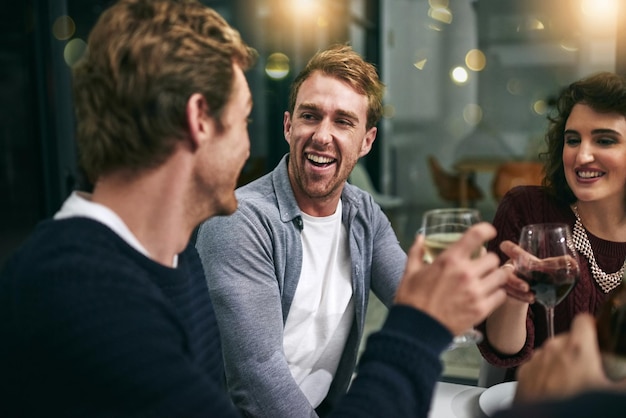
<point x="604" y="92"/>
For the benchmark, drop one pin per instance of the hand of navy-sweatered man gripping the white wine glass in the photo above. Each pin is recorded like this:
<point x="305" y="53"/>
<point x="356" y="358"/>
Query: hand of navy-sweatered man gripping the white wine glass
<point x="458" y="289"/>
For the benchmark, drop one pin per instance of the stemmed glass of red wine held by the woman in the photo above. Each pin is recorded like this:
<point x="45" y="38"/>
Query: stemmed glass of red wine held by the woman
<point x="550" y="264"/>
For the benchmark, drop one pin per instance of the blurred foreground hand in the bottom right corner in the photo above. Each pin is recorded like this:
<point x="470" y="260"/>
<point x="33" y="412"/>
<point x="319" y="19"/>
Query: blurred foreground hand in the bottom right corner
<point x="565" y="365"/>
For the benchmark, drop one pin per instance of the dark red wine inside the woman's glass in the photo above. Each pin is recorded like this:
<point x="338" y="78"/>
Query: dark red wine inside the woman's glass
<point x="551" y="286"/>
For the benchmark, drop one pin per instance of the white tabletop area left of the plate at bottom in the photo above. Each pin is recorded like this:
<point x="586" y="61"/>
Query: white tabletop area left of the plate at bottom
<point x="452" y="400"/>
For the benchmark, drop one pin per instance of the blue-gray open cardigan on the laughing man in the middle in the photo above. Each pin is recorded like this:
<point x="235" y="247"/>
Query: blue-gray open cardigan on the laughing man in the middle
<point x="252" y="261"/>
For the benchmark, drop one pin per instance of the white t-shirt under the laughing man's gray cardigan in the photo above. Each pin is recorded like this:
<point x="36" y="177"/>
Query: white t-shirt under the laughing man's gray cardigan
<point x="322" y="310"/>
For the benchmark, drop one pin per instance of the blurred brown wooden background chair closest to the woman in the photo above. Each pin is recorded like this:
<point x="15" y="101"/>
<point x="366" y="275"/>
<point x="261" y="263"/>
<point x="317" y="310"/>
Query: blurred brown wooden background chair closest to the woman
<point x="515" y="173"/>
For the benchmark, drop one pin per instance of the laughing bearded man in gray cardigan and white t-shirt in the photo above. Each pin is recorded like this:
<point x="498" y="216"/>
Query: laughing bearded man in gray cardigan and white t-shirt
<point x="291" y="271"/>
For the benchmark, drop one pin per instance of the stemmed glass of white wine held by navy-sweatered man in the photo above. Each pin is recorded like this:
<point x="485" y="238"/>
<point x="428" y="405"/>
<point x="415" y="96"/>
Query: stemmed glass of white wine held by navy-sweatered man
<point x="442" y="228"/>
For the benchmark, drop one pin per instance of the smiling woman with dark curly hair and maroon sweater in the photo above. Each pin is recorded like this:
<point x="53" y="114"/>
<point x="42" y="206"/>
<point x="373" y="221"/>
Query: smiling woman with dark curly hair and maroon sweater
<point x="584" y="186"/>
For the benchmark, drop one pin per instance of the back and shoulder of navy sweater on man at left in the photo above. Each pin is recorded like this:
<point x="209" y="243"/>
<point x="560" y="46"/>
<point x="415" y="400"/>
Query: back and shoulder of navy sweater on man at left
<point x="92" y="327"/>
